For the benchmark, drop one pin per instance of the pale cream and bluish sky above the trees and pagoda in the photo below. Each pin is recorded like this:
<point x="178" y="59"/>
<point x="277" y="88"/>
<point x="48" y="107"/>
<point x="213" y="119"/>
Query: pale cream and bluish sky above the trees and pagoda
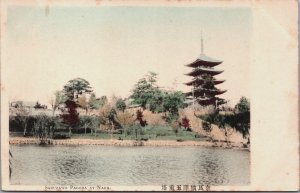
<point x="113" y="47"/>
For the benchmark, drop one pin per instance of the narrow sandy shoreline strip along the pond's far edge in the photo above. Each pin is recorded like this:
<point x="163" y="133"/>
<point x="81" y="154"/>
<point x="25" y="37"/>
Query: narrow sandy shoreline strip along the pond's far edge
<point x="115" y="142"/>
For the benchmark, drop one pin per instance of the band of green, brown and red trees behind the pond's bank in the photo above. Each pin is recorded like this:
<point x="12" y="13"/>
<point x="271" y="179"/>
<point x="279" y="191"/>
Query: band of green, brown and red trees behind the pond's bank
<point x="112" y="114"/>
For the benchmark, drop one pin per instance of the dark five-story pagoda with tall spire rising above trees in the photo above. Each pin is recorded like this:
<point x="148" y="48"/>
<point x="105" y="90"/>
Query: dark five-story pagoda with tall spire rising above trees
<point x="203" y="83"/>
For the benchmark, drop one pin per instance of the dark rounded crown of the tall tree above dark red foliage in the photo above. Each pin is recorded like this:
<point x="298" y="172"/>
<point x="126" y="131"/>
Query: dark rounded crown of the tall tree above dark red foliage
<point x="76" y="87"/>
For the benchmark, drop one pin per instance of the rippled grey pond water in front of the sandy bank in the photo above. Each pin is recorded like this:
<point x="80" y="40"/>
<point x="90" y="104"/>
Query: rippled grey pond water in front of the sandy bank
<point x="110" y="165"/>
